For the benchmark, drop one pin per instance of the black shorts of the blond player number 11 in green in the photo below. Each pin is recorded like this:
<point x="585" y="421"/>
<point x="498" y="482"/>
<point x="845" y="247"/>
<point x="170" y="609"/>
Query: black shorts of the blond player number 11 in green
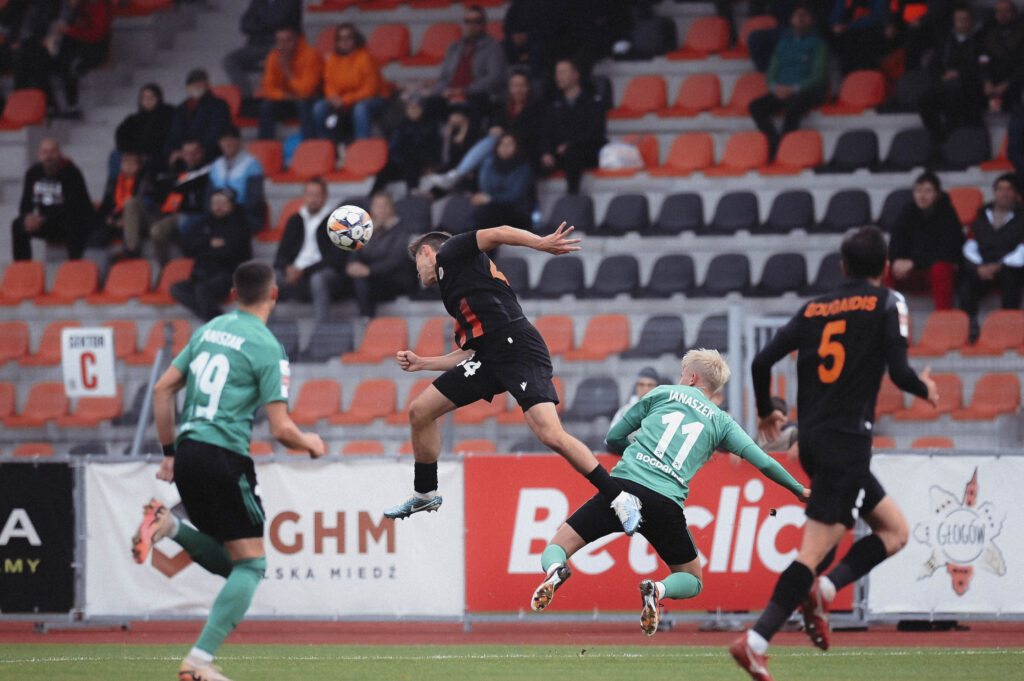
<point x="664" y="524"/>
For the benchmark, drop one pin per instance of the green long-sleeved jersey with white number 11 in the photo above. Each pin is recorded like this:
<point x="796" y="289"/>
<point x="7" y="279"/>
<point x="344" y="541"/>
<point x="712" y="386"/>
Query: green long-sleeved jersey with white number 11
<point x="677" y="432"/>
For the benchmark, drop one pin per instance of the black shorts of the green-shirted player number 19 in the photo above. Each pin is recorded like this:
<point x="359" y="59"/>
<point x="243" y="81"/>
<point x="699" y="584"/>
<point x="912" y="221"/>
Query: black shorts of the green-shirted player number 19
<point x="219" y="490"/>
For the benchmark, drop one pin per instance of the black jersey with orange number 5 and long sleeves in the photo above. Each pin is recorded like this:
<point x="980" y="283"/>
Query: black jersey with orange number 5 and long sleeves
<point x="844" y="342"/>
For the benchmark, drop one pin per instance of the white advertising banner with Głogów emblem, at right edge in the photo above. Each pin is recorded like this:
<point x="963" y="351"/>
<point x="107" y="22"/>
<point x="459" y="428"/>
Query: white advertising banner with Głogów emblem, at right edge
<point x="966" y="549"/>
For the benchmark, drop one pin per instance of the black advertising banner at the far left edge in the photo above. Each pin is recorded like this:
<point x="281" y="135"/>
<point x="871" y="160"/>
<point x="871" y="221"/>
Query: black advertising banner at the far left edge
<point x="37" y="538"/>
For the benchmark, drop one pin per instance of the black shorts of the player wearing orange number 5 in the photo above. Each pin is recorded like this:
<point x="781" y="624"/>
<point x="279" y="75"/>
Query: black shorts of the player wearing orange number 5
<point x="843" y="487"/>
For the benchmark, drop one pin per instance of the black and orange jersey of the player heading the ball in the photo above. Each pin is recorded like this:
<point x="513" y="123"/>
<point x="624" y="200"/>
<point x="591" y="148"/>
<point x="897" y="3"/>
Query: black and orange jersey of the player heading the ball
<point x="475" y="291"/>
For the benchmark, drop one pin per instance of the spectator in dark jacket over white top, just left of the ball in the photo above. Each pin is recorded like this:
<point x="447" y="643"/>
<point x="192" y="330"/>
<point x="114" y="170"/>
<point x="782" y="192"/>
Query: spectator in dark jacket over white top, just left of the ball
<point x="308" y="265"/>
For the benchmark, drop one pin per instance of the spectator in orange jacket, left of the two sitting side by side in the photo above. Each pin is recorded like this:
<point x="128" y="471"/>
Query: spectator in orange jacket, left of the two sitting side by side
<point x="292" y="80"/>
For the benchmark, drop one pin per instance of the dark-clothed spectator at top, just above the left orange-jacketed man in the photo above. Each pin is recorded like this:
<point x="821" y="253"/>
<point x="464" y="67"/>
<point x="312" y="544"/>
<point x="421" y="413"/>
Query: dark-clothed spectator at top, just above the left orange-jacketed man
<point x="260" y="24"/>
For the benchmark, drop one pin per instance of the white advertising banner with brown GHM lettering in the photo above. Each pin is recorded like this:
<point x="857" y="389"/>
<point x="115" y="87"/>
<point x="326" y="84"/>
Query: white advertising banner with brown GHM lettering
<point x="330" y="550"/>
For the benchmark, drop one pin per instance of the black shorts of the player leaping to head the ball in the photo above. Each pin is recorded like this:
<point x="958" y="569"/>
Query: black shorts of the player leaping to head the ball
<point x="515" y="359"/>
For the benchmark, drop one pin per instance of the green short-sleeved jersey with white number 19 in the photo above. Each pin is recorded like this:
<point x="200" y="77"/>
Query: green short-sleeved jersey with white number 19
<point x="233" y="365"/>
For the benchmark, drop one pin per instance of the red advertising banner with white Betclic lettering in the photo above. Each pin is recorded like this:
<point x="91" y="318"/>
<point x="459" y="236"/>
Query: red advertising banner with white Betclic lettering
<point x="516" y="504"/>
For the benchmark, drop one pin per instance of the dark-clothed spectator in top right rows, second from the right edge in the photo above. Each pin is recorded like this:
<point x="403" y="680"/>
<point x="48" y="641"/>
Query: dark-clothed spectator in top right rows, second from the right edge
<point x="956" y="98"/>
